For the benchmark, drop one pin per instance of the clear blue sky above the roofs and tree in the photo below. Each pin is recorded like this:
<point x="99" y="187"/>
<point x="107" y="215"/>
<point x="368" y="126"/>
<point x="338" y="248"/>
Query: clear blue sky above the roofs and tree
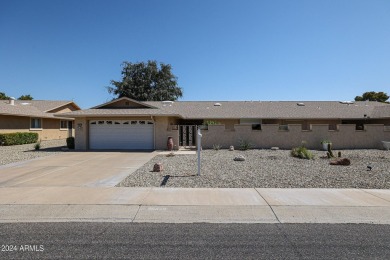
<point x="219" y="50"/>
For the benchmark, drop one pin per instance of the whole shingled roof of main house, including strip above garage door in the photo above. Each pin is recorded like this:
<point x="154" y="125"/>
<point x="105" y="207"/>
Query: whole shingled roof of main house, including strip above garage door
<point x="248" y="109"/>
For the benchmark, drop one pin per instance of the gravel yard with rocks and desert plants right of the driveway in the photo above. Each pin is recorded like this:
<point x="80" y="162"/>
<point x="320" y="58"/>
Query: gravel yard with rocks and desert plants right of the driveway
<point x="266" y="169"/>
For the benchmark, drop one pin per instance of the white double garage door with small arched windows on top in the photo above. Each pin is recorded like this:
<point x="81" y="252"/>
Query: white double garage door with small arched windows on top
<point x="121" y="134"/>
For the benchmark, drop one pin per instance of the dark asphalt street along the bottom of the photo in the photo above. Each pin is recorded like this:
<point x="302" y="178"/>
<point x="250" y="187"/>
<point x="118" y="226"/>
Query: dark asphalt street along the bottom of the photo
<point x="193" y="241"/>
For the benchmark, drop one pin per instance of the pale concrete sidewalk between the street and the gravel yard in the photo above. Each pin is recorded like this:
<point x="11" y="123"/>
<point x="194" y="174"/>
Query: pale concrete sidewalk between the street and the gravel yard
<point x="173" y="205"/>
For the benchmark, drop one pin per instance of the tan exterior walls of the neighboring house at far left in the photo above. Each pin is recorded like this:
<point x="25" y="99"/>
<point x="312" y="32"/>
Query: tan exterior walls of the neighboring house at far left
<point x="50" y="127"/>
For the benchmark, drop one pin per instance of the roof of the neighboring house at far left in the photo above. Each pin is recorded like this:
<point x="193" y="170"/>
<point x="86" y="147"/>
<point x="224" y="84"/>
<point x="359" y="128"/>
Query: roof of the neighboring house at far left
<point x="31" y="108"/>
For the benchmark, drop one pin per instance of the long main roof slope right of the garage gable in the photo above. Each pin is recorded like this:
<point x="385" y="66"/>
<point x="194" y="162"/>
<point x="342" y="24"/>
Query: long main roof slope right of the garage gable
<point x="272" y="109"/>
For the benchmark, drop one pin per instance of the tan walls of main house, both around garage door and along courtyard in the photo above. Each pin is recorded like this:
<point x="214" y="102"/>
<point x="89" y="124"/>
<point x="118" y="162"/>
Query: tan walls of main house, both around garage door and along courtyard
<point x="345" y="137"/>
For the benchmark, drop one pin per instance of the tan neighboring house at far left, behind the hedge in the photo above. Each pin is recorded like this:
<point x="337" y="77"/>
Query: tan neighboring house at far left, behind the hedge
<point x="37" y="116"/>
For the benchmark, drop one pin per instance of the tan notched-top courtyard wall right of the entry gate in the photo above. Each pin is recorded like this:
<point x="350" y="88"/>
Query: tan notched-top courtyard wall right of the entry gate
<point x="346" y="137"/>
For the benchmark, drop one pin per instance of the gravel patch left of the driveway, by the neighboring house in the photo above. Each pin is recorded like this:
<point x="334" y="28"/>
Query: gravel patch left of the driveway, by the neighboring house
<point x="16" y="153"/>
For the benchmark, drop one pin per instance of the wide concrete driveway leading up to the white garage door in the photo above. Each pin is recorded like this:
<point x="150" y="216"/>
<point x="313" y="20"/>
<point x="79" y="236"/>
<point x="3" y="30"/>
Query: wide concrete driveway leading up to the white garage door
<point x="77" y="169"/>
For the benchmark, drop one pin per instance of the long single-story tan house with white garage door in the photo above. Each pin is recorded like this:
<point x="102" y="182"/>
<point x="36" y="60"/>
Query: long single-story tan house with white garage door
<point x="128" y="124"/>
